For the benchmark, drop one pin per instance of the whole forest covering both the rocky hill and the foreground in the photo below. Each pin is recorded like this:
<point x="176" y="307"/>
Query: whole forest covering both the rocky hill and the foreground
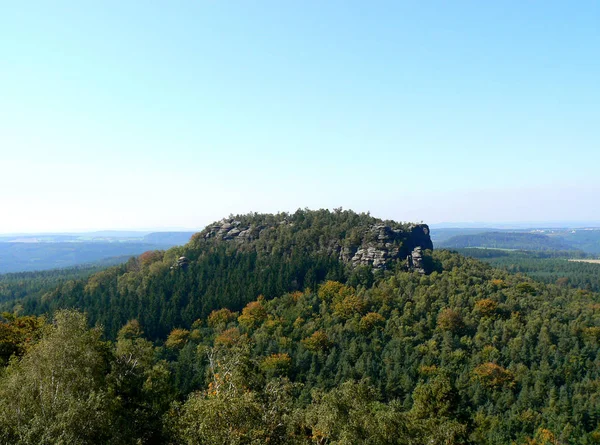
<point x="279" y="338"/>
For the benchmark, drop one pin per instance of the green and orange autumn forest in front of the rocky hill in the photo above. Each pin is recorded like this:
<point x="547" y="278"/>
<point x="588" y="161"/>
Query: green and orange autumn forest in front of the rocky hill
<point x="468" y="354"/>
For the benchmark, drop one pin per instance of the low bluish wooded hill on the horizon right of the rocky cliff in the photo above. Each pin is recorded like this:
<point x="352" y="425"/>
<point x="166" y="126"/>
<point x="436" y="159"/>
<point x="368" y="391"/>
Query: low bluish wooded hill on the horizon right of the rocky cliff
<point x="508" y="240"/>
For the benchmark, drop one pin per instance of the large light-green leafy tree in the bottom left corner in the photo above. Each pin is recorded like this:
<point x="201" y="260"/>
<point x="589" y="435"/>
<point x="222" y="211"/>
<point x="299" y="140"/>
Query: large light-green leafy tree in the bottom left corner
<point x="57" y="394"/>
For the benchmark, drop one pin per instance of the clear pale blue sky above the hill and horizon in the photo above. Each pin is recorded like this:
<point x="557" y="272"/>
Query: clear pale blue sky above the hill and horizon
<point x="154" y="114"/>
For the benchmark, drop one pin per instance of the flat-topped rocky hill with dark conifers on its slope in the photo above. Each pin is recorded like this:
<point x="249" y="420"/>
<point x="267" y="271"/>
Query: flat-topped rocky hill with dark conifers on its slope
<point x="234" y="260"/>
